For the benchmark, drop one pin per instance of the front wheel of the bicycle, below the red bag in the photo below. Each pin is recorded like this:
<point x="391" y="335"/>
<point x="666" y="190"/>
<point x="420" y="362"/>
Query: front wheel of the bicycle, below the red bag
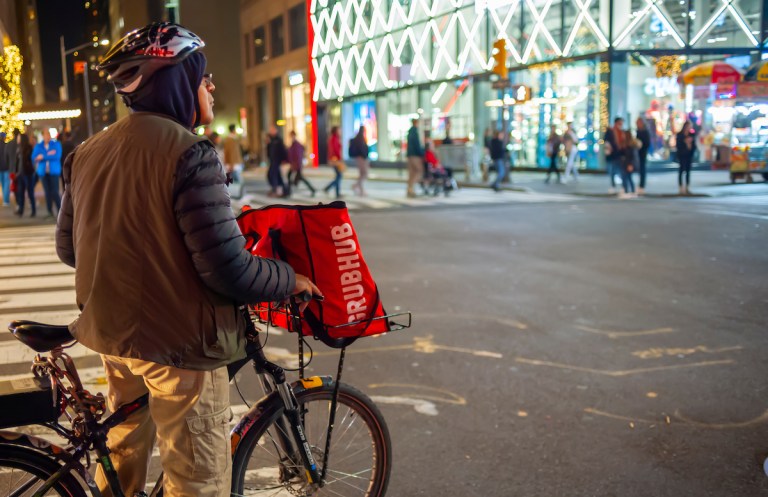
<point x="359" y="428"/>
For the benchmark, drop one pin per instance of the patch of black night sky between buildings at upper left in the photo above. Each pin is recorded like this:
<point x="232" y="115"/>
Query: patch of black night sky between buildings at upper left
<point x="56" y="18"/>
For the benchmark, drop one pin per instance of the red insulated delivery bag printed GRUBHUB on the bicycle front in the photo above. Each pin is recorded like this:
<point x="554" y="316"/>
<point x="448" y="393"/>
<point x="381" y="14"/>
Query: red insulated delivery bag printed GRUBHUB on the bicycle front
<point x="320" y="242"/>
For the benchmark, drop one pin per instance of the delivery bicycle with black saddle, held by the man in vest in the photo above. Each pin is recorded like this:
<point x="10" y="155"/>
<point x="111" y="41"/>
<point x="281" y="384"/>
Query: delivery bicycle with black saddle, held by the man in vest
<point x="281" y="446"/>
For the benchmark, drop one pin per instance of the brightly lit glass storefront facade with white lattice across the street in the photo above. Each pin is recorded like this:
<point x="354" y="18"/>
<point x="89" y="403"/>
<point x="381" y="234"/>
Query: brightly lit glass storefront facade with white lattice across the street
<point x="582" y="61"/>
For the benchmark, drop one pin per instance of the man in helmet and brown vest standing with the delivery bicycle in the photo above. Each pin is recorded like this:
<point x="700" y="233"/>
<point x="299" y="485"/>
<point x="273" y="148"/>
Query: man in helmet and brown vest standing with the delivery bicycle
<point x="146" y="218"/>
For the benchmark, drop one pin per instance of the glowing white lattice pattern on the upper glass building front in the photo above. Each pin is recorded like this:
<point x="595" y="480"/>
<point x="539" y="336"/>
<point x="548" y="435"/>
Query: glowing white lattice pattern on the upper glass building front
<point x="362" y="46"/>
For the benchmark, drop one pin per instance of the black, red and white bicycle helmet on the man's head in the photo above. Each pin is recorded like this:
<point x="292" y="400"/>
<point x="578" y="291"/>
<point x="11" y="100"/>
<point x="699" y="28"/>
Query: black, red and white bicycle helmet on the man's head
<point x="133" y="60"/>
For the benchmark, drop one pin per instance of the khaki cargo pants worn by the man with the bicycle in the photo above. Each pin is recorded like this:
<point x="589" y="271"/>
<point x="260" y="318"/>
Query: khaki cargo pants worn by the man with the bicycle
<point x="188" y="413"/>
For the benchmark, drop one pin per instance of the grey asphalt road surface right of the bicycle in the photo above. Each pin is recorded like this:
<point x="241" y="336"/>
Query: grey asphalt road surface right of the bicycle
<point x="592" y="349"/>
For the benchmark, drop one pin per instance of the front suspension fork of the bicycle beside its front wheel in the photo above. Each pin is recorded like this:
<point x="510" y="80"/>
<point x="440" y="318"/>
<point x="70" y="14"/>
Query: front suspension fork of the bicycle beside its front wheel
<point x="295" y="424"/>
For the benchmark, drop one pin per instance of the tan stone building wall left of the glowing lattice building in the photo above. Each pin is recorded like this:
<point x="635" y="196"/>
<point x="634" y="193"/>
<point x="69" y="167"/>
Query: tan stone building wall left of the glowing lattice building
<point x="260" y="77"/>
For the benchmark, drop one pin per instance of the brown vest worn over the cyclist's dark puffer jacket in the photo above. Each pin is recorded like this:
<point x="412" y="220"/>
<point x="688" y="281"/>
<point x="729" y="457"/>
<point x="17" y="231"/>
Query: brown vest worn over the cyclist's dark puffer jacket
<point x="138" y="291"/>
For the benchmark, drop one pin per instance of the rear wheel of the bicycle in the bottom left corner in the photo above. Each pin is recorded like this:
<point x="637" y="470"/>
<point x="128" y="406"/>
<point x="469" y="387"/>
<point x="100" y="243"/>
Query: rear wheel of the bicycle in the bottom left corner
<point x="18" y="464"/>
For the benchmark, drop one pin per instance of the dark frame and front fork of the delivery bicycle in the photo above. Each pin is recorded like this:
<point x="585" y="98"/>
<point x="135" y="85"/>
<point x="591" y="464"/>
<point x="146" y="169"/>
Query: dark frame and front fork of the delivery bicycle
<point x="87" y="431"/>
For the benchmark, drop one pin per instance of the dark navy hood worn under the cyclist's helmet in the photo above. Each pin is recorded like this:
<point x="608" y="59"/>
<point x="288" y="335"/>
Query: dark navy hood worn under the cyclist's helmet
<point x="174" y="91"/>
